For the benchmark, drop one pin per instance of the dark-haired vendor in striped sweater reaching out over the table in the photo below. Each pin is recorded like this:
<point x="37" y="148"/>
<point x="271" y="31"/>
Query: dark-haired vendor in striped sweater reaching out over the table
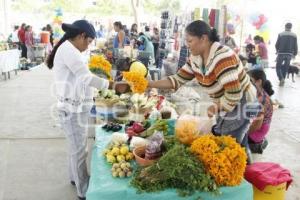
<point x="220" y="73"/>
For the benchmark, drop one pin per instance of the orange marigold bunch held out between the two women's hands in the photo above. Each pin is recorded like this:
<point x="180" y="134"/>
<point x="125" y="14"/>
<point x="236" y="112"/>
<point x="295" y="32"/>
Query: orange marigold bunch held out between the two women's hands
<point x="138" y="83"/>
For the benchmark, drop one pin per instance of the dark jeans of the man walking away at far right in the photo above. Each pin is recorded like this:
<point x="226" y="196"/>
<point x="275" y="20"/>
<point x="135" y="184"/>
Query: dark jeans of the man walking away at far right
<point x="282" y="65"/>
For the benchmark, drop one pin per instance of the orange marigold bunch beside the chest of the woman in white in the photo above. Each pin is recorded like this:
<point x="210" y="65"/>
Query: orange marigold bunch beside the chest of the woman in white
<point x="98" y="64"/>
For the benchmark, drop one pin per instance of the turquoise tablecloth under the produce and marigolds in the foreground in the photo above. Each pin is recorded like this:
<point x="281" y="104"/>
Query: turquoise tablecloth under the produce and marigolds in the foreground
<point x="103" y="186"/>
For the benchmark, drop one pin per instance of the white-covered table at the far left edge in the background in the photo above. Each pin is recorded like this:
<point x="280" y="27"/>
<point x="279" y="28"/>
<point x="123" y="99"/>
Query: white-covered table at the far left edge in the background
<point x="9" y="61"/>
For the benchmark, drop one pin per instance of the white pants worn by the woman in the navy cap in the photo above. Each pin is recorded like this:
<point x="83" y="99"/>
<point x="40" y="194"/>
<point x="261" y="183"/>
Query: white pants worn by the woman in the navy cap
<point x="75" y="127"/>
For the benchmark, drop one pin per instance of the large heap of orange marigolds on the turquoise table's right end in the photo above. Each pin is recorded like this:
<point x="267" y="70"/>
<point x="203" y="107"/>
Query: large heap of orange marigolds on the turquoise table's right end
<point x="223" y="158"/>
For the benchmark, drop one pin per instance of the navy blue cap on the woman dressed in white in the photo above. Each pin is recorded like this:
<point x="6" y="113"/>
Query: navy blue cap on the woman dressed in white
<point x="82" y="25"/>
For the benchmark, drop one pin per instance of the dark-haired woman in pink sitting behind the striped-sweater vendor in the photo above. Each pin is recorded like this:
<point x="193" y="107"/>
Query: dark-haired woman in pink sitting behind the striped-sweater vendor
<point x="261" y="124"/>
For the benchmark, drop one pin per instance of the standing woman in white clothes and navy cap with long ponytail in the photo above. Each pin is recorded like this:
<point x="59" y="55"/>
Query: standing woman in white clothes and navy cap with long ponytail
<point x="74" y="85"/>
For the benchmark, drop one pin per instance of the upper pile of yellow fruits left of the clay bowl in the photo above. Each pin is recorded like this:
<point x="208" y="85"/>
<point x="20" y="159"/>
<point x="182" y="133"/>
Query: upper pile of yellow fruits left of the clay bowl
<point x="117" y="152"/>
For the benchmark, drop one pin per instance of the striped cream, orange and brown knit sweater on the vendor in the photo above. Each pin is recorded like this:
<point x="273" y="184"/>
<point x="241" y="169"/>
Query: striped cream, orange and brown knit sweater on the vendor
<point x="224" y="78"/>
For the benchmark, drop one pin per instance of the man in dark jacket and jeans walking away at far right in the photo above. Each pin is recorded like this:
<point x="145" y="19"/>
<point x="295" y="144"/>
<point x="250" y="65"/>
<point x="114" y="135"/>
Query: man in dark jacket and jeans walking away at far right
<point x="286" y="49"/>
